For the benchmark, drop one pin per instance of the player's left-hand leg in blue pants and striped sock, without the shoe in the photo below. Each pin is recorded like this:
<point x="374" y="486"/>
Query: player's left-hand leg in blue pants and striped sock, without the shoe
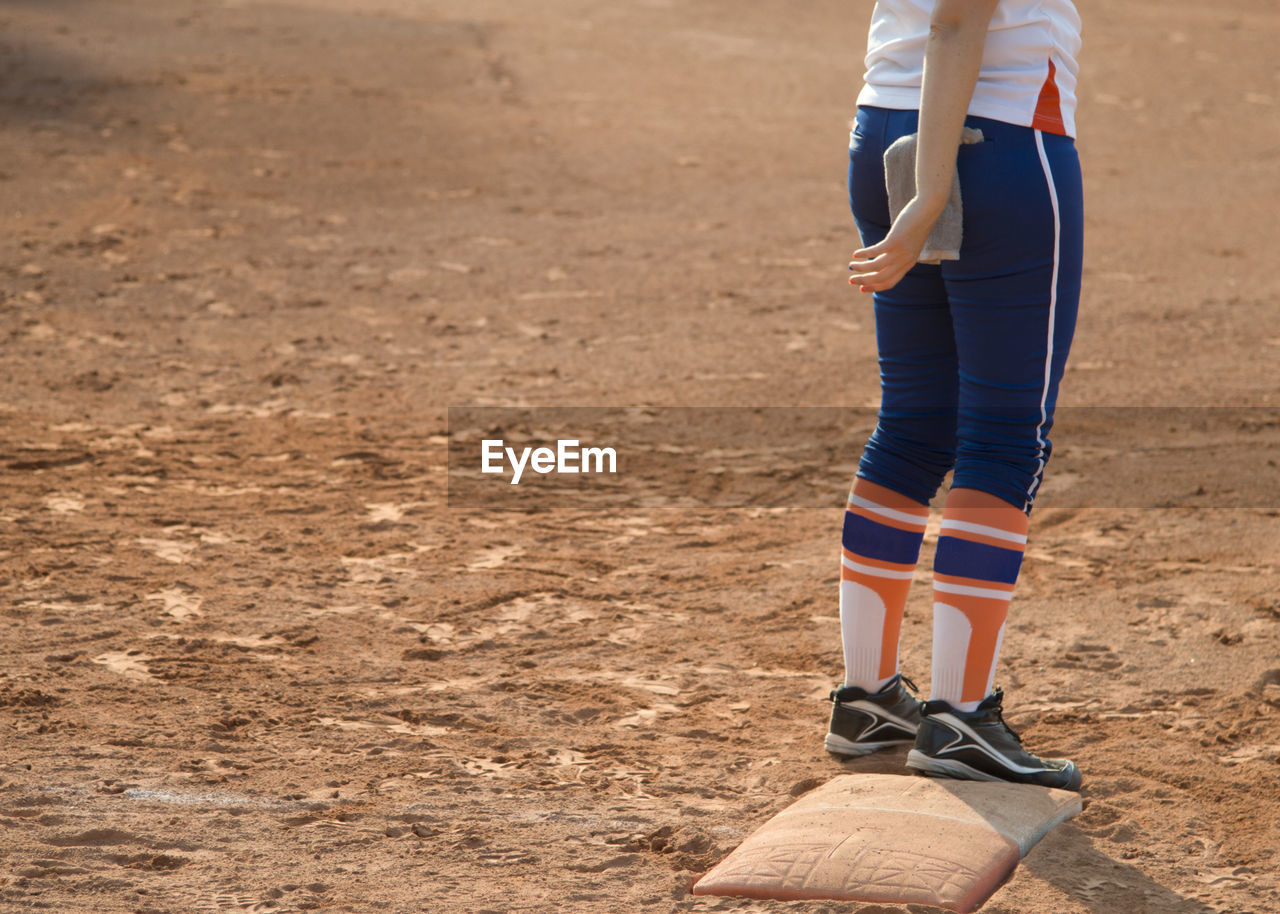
<point x="915" y="441"/>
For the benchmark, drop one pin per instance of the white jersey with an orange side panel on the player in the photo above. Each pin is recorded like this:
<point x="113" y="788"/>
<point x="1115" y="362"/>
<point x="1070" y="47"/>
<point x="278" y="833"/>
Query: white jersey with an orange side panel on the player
<point x="1028" y="66"/>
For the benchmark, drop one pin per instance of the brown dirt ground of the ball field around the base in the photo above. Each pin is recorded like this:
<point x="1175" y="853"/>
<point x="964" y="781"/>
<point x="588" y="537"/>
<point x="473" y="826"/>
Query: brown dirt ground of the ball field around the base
<point x="252" y="660"/>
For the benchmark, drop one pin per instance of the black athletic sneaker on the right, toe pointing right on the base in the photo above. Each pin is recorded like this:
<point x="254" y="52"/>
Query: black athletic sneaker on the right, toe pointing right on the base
<point x="979" y="746"/>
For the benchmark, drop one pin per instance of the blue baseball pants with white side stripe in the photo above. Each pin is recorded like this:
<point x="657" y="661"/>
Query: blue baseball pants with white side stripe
<point x="972" y="351"/>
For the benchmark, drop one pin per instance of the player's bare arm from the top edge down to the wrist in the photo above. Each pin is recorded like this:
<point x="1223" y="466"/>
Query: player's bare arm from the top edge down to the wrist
<point x="953" y="60"/>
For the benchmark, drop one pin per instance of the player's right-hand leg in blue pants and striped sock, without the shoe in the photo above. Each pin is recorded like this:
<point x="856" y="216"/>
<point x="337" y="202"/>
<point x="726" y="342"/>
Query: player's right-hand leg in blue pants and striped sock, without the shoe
<point x="1013" y="300"/>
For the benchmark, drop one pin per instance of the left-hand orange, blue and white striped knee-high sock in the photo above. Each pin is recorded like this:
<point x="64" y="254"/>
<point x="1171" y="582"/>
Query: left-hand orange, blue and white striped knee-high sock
<point x="881" y="546"/>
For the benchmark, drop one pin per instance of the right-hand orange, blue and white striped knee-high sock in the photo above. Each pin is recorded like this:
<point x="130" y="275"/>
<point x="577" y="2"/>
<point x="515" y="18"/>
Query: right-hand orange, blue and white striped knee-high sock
<point x="975" y="572"/>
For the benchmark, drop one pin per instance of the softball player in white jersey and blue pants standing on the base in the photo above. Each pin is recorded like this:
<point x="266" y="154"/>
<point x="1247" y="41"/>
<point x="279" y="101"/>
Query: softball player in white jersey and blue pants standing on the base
<point x="971" y="357"/>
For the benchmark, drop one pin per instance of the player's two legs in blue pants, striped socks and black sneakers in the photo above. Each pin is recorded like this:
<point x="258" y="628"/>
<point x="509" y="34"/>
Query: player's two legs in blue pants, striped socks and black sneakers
<point x="970" y="378"/>
